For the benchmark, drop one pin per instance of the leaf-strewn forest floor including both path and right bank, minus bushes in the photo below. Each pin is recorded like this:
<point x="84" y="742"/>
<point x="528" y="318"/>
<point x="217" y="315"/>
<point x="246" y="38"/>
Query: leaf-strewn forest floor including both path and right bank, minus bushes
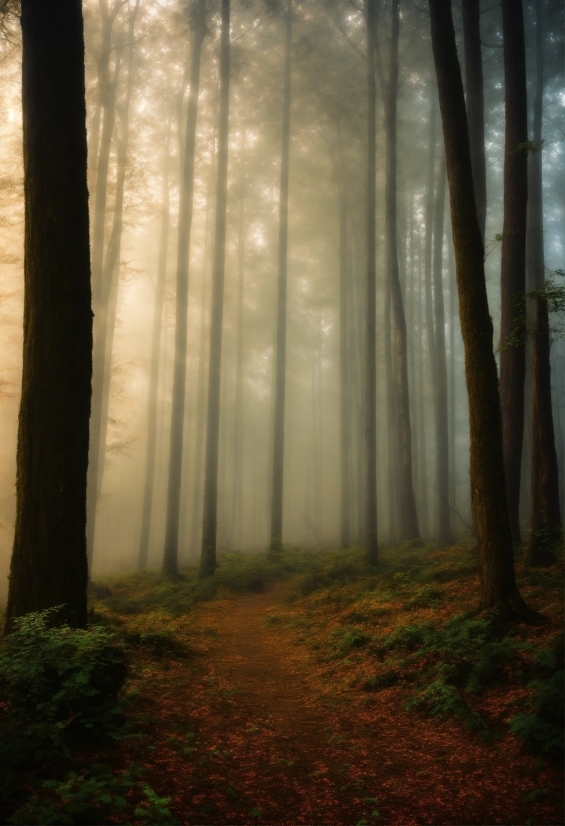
<point x="283" y="707"/>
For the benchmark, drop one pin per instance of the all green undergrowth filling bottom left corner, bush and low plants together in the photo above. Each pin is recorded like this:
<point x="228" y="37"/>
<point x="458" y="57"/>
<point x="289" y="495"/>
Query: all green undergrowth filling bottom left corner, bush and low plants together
<point x="61" y="698"/>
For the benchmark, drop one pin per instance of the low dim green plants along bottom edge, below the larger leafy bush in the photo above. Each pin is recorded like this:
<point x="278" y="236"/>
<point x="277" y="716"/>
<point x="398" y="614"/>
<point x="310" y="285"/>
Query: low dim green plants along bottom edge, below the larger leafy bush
<point x="92" y="798"/>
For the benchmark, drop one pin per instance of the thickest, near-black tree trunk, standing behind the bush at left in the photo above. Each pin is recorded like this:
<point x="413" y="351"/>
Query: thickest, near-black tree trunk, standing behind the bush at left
<point x="49" y="566"/>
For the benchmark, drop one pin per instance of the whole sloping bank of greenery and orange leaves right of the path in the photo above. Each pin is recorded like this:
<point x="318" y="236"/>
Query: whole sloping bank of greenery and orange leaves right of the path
<point x="412" y="622"/>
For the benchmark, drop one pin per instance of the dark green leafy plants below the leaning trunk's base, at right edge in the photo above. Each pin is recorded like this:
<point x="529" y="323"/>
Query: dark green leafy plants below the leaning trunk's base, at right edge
<point x="468" y="654"/>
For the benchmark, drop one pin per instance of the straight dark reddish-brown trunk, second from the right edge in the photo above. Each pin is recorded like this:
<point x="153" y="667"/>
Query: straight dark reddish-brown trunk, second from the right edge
<point x="513" y="265"/>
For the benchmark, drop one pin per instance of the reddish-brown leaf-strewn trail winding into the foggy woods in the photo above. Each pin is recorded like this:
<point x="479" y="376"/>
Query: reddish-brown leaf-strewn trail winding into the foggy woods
<point x="250" y="730"/>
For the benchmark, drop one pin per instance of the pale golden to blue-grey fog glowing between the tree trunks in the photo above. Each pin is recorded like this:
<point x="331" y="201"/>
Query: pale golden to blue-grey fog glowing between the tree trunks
<point x="327" y="153"/>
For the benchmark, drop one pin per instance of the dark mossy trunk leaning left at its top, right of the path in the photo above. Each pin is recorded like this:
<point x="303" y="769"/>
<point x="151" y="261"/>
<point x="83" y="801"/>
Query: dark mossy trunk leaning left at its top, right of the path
<point x="488" y="495"/>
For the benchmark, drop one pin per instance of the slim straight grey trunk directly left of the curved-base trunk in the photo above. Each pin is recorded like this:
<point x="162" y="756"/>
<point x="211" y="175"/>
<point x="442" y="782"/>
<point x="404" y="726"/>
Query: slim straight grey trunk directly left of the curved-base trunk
<point x="371" y="546"/>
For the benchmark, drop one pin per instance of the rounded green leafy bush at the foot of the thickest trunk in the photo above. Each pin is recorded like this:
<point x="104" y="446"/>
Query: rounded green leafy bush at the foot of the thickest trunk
<point x="58" y="688"/>
